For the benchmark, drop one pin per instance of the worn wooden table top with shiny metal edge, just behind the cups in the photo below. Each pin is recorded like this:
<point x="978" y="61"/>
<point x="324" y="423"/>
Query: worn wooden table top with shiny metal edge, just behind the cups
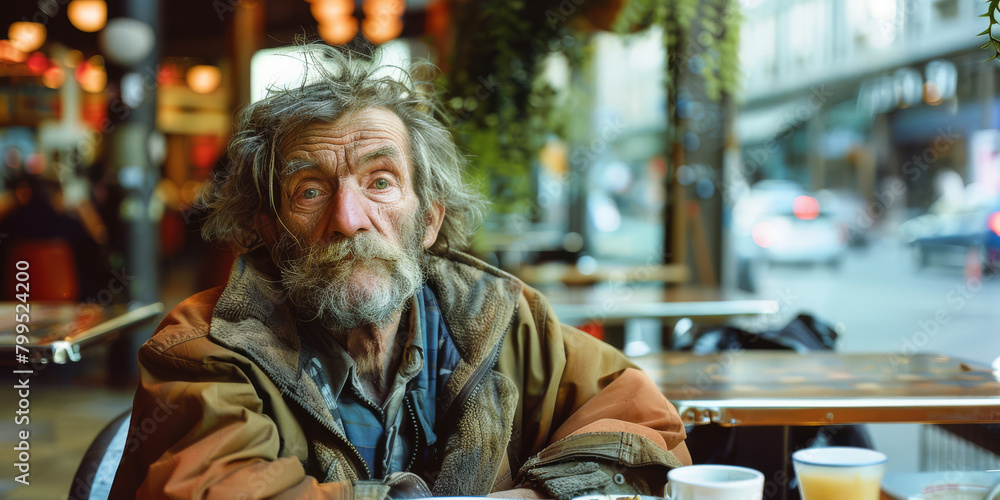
<point x="821" y="388"/>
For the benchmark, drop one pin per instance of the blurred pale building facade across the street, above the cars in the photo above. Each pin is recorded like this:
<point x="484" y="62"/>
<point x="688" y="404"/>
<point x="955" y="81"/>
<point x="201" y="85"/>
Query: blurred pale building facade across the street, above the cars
<point x="867" y="100"/>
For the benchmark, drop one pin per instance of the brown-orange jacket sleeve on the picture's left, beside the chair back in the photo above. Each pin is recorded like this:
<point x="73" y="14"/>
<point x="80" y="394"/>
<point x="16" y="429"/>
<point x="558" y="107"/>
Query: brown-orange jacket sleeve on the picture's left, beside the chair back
<point x="198" y="431"/>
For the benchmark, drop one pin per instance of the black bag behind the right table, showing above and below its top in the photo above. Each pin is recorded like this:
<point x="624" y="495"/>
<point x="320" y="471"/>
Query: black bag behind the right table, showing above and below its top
<point x="760" y="447"/>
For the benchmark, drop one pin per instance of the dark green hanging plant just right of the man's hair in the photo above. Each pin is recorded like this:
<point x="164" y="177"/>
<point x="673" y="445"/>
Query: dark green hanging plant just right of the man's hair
<point x="502" y="113"/>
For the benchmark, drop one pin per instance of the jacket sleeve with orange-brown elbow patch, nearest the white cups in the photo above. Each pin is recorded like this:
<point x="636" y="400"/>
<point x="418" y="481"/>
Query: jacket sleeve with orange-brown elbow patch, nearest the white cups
<point x="589" y="420"/>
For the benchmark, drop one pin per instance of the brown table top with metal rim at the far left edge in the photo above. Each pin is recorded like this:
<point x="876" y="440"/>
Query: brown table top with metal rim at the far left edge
<point x="59" y="330"/>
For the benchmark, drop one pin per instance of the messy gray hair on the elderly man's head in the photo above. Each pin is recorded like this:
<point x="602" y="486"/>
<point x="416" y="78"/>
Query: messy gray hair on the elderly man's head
<point x="338" y="82"/>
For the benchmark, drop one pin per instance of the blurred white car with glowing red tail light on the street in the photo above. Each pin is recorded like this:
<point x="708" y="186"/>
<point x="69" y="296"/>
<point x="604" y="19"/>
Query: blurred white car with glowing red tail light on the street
<point x="778" y="221"/>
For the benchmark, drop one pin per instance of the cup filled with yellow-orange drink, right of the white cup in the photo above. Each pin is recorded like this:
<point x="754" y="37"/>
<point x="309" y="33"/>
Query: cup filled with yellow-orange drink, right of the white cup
<point x="839" y="472"/>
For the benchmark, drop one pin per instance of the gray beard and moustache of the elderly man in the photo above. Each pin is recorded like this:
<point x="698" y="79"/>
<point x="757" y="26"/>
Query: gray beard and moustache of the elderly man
<point x="353" y="282"/>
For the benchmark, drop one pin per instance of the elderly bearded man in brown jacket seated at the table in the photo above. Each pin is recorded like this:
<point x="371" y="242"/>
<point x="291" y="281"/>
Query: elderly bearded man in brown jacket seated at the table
<point x="355" y="351"/>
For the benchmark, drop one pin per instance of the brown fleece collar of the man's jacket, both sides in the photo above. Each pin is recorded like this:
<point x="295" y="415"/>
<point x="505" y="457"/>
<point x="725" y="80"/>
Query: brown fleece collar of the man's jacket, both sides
<point x="253" y="318"/>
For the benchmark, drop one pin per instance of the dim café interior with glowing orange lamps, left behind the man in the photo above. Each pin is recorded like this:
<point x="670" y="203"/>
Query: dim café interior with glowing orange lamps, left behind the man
<point x="125" y="107"/>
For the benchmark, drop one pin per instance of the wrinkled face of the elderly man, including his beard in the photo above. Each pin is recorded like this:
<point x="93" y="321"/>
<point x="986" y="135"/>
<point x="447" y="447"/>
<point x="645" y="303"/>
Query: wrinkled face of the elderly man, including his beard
<point x="353" y="236"/>
